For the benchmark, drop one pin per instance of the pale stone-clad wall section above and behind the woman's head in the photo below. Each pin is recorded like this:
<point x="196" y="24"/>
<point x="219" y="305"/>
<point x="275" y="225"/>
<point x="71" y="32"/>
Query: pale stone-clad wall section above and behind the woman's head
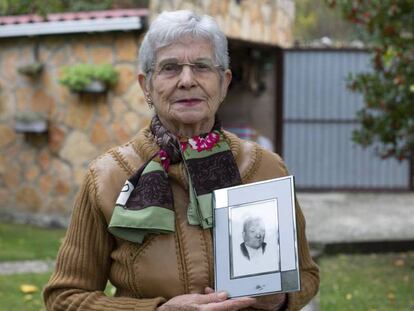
<point x="261" y="21"/>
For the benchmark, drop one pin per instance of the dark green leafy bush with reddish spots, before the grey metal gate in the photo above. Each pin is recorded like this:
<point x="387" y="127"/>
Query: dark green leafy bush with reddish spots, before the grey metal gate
<point x="387" y="119"/>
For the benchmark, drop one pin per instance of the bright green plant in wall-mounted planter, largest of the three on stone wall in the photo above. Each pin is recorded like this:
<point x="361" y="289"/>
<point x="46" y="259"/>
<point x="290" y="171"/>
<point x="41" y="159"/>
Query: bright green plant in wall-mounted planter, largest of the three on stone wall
<point x="89" y="78"/>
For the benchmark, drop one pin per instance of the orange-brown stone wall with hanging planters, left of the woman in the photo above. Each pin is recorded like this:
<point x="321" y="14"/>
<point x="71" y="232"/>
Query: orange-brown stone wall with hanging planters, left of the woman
<point x="42" y="172"/>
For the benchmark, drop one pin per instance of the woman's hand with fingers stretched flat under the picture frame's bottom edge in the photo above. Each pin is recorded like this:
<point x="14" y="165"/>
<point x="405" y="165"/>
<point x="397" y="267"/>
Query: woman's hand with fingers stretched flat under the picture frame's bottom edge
<point x="208" y="301"/>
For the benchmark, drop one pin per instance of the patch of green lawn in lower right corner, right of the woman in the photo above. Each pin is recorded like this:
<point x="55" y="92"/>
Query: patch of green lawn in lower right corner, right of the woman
<point x="374" y="282"/>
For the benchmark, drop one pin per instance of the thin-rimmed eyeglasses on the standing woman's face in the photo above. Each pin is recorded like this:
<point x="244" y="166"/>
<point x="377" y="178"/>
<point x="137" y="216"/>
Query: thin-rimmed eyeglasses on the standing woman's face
<point x="173" y="69"/>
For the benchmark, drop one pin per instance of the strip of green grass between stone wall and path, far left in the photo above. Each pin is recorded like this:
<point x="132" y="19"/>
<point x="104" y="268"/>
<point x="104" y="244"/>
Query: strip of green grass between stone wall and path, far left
<point x="25" y="242"/>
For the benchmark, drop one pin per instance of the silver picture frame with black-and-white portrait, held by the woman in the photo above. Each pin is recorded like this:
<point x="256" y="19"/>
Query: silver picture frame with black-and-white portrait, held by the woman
<point x="255" y="240"/>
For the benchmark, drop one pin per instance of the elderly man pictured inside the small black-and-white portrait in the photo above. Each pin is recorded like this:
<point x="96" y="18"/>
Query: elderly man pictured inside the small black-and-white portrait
<point x="253" y="237"/>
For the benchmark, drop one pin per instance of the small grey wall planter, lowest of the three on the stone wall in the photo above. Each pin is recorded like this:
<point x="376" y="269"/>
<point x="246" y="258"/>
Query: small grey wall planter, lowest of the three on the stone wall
<point x="30" y="122"/>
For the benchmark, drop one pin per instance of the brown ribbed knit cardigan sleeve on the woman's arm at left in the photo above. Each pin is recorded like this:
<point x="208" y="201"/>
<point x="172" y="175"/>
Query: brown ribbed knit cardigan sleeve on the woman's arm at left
<point x="83" y="262"/>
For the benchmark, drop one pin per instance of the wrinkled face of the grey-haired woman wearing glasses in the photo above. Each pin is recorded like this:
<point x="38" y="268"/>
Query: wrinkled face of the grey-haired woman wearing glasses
<point x="186" y="86"/>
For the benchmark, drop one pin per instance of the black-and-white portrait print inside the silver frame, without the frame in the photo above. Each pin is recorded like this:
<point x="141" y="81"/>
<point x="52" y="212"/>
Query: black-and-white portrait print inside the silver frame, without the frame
<point x="254" y="238"/>
